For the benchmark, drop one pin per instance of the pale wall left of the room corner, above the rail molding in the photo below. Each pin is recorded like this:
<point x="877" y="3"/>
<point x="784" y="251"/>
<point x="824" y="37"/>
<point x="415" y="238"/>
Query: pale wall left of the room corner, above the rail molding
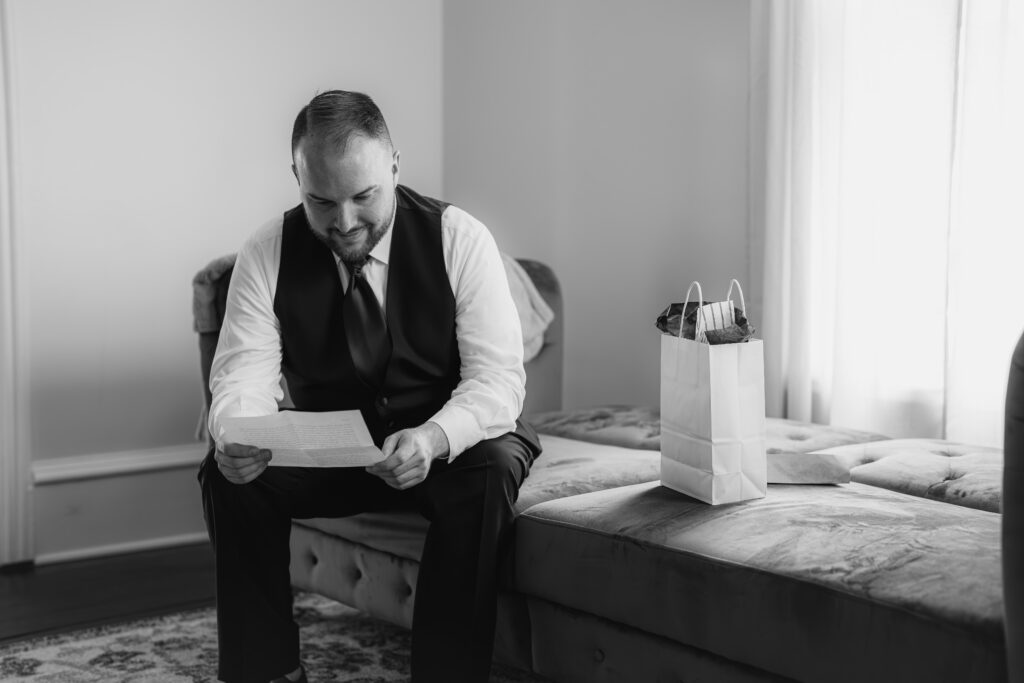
<point x="151" y="138"/>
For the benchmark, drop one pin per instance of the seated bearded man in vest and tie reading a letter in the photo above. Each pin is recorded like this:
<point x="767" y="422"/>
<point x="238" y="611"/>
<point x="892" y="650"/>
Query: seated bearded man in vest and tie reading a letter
<point x="368" y="296"/>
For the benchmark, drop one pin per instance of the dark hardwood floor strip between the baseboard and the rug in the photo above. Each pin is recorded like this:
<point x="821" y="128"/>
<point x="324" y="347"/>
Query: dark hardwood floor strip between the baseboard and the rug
<point x="72" y="595"/>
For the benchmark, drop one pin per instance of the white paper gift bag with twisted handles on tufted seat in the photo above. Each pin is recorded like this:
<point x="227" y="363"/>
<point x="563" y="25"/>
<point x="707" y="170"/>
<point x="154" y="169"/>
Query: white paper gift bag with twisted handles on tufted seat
<point x="713" y="415"/>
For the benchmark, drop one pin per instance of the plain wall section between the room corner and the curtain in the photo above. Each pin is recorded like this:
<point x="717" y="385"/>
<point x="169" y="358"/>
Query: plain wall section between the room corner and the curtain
<point x="611" y="141"/>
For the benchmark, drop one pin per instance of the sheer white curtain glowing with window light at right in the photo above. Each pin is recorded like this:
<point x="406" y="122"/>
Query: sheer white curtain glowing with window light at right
<point x="894" y="227"/>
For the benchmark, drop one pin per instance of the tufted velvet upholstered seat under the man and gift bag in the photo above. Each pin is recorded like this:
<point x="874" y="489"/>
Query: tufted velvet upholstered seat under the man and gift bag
<point x="892" y="576"/>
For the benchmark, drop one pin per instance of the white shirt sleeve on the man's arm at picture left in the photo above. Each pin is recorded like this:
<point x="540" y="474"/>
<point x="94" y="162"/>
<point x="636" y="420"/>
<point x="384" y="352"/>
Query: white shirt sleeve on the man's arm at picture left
<point x="245" y="376"/>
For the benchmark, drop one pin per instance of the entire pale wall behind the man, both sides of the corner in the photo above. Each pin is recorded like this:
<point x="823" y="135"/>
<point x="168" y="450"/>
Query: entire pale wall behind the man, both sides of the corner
<point x="609" y="140"/>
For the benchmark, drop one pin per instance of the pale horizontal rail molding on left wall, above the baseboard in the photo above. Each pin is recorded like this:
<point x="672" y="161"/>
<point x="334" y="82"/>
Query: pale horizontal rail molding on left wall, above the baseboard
<point x="72" y="468"/>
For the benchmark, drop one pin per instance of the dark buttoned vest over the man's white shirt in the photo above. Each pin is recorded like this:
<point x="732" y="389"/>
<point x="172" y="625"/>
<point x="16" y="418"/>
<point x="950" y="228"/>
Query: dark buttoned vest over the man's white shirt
<point x="316" y="361"/>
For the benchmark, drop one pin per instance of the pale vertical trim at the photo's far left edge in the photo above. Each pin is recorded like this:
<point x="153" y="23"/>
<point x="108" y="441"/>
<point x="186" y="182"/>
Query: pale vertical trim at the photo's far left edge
<point x="17" y="542"/>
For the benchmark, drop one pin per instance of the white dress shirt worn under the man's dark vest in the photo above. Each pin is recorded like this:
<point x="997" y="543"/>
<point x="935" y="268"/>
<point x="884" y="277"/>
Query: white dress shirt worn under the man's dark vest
<point x="246" y="378"/>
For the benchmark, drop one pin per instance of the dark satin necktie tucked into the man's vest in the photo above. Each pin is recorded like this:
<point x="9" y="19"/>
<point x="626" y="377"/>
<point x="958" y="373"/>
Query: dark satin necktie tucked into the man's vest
<point x="366" y="329"/>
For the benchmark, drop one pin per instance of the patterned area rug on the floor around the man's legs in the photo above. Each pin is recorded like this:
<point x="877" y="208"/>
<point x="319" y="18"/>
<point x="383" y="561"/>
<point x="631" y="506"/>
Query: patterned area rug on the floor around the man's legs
<point x="338" y="645"/>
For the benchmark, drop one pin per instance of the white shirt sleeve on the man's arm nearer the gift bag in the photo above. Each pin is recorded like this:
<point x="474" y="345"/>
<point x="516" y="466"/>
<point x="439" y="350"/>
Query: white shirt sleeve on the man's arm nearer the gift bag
<point x="490" y="395"/>
